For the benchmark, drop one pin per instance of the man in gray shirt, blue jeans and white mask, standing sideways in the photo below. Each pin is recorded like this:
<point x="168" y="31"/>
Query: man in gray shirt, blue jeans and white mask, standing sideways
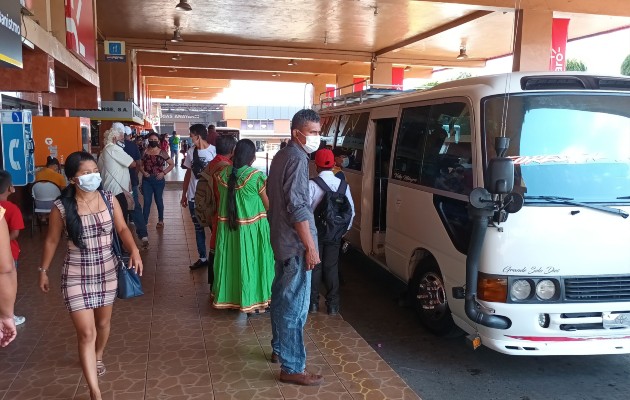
<point x="294" y="242"/>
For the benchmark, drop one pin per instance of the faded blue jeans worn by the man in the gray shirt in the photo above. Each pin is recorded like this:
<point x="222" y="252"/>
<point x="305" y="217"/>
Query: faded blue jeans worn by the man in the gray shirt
<point x="290" y="294"/>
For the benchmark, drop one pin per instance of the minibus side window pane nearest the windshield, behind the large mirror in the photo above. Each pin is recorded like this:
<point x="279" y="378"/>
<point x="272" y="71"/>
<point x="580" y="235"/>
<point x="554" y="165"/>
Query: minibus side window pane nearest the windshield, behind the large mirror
<point x="447" y="156"/>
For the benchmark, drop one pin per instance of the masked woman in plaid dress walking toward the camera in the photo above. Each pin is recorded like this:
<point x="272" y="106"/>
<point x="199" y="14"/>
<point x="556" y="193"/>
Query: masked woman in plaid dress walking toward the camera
<point x="88" y="278"/>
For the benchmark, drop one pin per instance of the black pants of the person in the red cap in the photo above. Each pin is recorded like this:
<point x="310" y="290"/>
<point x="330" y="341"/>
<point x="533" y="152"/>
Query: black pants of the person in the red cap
<point x="329" y="269"/>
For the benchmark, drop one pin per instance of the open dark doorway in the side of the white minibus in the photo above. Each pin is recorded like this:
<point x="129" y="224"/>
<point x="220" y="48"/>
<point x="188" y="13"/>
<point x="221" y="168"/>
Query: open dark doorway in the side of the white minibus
<point x="384" y="137"/>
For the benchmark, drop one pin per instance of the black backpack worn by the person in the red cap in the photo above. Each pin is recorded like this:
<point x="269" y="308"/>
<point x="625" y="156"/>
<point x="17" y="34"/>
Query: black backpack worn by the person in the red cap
<point x="333" y="213"/>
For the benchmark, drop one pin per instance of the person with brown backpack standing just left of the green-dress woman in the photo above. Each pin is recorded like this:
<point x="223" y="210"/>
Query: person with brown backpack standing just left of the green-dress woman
<point x="207" y="193"/>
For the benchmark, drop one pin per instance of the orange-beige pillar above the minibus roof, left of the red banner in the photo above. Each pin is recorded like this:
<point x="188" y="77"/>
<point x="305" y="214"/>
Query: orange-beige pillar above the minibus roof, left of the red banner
<point x="533" y="40"/>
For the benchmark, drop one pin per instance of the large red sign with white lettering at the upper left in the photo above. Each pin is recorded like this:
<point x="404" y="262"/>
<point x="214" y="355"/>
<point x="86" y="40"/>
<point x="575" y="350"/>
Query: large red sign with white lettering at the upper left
<point x="80" y="33"/>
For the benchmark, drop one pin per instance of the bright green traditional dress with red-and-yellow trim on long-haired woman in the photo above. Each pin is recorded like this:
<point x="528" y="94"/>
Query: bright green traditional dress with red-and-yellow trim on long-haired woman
<point x="243" y="261"/>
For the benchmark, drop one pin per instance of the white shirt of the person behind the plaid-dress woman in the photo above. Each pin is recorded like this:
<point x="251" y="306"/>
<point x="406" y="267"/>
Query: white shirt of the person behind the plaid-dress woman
<point x="113" y="164"/>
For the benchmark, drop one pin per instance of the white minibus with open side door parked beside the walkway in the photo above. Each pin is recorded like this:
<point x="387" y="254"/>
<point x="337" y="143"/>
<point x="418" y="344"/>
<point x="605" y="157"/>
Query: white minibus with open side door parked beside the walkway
<point x="502" y="201"/>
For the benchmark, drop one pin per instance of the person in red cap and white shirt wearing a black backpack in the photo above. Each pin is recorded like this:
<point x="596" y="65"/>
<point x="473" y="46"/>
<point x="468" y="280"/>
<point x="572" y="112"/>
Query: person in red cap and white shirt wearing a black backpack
<point x="333" y="208"/>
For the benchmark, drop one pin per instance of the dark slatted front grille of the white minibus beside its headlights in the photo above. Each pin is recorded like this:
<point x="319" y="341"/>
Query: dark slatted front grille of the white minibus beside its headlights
<point x="597" y="288"/>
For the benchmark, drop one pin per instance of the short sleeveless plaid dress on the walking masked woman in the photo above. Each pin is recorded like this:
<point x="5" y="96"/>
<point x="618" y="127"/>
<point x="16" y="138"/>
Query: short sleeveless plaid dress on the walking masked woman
<point x="88" y="277"/>
